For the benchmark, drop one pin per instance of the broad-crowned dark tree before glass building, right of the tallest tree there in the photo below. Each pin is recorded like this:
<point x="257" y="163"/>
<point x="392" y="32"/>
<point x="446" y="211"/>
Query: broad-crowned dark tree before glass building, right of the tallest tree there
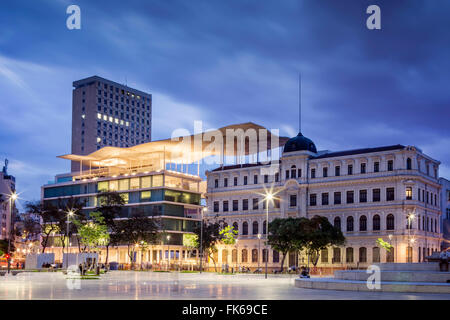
<point x="132" y="231"/>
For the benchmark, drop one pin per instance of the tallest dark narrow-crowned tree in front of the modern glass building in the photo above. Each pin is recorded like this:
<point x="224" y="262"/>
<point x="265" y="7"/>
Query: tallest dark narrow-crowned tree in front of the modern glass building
<point x="110" y="205"/>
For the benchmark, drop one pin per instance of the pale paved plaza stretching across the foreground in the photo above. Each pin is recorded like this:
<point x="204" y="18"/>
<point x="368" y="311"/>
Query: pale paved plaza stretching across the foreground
<point x="156" y="285"/>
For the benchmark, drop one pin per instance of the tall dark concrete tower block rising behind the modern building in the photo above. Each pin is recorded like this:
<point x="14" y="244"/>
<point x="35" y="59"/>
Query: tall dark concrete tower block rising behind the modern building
<point x="106" y="113"/>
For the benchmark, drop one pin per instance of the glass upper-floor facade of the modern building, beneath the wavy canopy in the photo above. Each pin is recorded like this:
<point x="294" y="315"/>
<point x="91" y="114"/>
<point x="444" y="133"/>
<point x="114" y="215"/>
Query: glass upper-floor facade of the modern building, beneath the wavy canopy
<point x="140" y="191"/>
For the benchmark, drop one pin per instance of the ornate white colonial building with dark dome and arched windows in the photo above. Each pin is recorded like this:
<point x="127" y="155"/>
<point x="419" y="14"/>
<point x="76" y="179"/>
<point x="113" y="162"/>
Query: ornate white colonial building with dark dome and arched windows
<point x="387" y="192"/>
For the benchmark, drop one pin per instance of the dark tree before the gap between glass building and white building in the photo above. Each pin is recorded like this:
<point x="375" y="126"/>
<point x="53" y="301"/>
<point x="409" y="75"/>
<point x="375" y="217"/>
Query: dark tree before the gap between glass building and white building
<point x="210" y="237"/>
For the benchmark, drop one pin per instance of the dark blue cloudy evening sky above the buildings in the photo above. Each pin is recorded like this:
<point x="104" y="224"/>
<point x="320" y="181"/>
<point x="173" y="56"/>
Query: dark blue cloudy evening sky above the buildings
<point x="227" y="62"/>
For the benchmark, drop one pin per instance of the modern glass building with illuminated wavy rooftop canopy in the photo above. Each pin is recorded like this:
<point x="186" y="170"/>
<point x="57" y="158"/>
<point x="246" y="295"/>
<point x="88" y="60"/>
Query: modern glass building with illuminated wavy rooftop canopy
<point x="149" y="183"/>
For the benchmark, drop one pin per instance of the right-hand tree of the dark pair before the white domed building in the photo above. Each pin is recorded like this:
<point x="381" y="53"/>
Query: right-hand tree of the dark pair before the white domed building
<point x="319" y="233"/>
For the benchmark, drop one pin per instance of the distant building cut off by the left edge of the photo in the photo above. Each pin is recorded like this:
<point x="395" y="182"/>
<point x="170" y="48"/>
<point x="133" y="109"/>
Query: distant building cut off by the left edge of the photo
<point x="7" y="208"/>
